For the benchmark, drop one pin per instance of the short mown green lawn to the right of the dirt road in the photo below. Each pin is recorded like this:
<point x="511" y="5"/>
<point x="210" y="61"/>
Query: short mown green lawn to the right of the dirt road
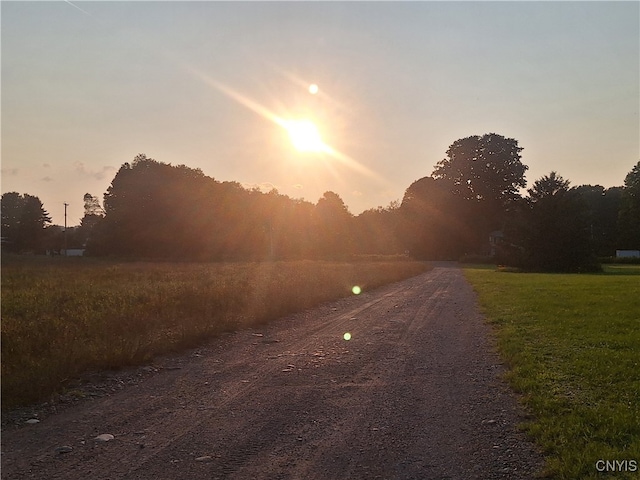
<point x="573" y="346"/>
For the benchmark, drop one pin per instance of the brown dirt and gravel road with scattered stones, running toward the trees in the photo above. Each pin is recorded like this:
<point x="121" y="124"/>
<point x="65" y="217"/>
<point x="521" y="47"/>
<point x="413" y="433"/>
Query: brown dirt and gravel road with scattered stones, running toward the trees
<point x="414" y="394"/>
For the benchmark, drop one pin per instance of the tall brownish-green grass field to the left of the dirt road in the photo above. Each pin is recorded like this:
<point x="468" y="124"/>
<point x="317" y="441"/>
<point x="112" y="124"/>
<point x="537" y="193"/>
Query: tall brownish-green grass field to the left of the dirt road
<point x="65" y="316"/>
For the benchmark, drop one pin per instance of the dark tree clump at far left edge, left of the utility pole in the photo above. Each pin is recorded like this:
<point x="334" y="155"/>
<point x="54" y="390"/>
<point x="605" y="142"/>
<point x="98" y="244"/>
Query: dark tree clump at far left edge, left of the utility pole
<point x="24" y="220"/>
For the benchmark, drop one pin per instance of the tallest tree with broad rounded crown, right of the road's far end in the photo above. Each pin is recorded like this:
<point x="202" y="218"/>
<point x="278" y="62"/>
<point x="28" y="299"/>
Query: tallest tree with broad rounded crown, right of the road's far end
<point x="486" y="172"/>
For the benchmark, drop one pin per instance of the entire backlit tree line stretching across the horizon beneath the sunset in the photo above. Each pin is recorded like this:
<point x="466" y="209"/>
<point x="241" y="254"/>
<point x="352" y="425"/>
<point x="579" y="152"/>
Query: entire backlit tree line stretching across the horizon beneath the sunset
<point x="473" y="203"/>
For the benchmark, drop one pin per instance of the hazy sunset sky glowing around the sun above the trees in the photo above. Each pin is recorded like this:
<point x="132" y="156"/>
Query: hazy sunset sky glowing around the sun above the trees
<point x="86" y="86"/>
